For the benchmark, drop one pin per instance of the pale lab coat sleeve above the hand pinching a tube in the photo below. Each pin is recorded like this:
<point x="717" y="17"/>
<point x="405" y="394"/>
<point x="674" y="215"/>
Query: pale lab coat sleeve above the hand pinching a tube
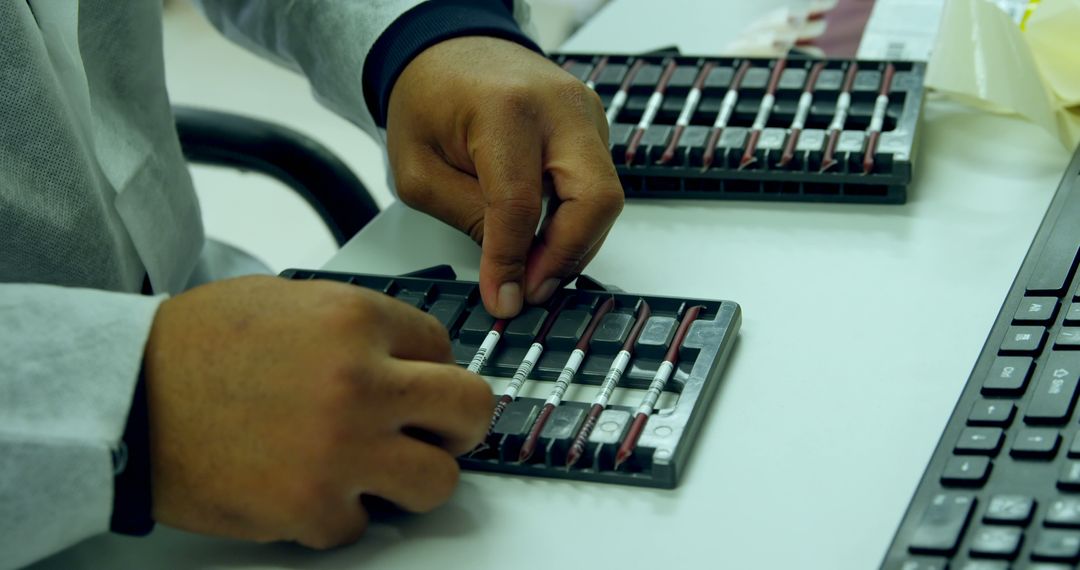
<point x="330" y="42"/>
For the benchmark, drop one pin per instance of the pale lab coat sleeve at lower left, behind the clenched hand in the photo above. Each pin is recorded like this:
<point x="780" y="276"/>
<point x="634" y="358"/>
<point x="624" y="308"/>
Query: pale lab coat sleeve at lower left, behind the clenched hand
<point x="71" y="361"/>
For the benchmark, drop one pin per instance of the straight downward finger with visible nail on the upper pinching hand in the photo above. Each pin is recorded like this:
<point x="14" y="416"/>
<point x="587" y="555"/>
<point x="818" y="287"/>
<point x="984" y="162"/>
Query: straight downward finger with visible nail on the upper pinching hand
<point x="509" y="167"/>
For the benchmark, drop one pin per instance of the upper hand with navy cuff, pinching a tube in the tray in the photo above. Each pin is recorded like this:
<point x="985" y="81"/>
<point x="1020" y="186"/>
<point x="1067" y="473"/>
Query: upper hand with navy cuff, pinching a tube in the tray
<point x="475" y="126"/>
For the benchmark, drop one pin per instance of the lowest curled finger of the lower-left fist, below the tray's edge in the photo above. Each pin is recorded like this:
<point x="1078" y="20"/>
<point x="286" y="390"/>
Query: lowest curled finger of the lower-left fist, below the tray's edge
<point x="415" y="477"/>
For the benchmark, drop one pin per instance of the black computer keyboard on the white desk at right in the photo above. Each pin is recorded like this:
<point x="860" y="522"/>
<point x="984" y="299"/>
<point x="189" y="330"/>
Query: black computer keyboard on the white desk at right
<point x="1003" y="490"/>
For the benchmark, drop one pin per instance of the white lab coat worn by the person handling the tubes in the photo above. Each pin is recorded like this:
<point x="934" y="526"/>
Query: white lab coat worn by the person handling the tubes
<point x="94" y="195"/>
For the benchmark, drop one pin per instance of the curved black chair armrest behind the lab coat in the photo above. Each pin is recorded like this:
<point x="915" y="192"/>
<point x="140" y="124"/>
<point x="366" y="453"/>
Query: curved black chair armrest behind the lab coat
<point x="308" y="168"/>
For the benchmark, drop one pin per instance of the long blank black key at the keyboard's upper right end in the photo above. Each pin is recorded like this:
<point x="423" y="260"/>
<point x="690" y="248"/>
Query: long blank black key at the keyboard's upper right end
<point x="1060" y="255"/>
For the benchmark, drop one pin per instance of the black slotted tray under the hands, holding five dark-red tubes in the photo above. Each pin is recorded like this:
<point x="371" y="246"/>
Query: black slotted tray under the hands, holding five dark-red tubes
<point x="665" y="446"/>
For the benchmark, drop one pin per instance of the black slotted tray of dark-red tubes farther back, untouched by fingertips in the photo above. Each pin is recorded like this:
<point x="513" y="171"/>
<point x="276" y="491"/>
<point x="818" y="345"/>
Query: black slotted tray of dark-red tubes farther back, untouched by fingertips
<point x="800" y="180"/>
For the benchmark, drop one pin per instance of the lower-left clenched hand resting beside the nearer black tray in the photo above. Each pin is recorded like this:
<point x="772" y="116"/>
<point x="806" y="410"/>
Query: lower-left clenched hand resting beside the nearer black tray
<point x="275" y="405"/>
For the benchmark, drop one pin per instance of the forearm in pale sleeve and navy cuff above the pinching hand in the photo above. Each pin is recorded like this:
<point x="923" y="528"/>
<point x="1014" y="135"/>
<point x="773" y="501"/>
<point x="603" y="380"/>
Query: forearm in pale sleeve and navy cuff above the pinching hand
<point x="332" y="42"/>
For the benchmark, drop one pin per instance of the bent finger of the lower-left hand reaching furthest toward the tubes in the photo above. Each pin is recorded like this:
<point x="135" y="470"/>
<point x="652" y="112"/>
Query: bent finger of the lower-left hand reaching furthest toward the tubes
<point x="452" y="404"/>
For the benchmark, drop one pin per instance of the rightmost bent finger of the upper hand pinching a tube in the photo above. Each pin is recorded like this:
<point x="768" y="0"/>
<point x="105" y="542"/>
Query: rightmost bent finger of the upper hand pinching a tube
<point x="590" y="199"/>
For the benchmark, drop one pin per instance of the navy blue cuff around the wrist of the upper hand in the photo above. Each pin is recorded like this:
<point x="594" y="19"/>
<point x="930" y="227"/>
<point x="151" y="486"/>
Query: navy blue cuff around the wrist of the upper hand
<point x="425" y="26"/>
